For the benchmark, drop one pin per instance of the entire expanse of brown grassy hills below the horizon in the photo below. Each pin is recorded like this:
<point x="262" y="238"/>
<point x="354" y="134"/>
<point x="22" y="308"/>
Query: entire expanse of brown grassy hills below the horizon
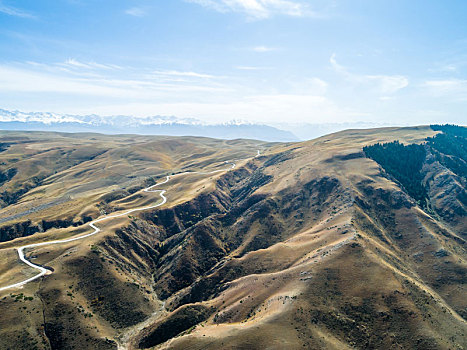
<point x="309" y="245"/>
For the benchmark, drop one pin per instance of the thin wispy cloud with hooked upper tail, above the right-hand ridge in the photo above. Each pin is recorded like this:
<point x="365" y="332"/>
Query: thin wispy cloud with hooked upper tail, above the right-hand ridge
<point x="384" y="84"/>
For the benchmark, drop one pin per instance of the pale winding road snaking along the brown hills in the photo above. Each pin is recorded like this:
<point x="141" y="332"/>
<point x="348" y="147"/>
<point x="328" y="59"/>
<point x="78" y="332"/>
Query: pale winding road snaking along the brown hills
<point x="43" y="271"/>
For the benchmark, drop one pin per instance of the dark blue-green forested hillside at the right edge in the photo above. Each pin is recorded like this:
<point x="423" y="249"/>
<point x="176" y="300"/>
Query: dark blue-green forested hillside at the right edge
<point x="433" y="173"/>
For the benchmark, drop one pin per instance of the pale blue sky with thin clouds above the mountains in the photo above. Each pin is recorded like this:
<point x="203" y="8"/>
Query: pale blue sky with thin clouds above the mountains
<point x="267" y="61"/>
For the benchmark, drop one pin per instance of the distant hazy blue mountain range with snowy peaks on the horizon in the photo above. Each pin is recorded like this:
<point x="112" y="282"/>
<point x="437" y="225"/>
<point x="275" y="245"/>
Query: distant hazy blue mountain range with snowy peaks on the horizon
<point x="155" y="125"/>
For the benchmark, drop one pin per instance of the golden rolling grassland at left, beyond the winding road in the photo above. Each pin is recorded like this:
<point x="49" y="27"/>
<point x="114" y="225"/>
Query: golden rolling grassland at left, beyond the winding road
<point x="57" y="180"/>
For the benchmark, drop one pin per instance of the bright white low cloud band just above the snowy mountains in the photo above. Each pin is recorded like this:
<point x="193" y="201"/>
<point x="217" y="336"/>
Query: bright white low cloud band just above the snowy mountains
<point x="268" y="109"/>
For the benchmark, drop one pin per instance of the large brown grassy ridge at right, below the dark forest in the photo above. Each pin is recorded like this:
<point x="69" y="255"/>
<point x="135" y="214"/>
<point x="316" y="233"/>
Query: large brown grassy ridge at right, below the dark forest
<point x="332" y="254"/>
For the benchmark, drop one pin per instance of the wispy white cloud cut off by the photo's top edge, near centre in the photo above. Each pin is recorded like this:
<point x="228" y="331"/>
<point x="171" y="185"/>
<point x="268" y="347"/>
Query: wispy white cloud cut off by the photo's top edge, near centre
<point x="259" y="9"/>
